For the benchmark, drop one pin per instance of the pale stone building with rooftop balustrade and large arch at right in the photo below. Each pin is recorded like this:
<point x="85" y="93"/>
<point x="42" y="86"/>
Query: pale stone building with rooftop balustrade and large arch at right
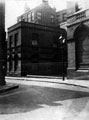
<point x="78" y="42"/>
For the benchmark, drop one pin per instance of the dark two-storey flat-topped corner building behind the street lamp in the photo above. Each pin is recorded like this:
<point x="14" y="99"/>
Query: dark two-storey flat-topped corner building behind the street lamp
<point x="34" y="49"/>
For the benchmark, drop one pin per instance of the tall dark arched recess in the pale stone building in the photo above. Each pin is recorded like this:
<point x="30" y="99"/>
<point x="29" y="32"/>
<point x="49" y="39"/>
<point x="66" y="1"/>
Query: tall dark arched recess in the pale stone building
<point x="81" y="37"/>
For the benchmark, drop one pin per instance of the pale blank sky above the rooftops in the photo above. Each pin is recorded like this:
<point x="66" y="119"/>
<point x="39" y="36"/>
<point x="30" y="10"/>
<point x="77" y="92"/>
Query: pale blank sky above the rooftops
<point x="15" y="8"/>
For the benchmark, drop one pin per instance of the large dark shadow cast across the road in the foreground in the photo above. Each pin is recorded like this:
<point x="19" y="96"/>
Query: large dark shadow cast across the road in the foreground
<point x="28" y="98"/>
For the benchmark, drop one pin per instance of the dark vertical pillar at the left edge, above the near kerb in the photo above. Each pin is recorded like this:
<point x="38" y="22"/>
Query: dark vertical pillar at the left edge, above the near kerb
<point x="2" y="44"/>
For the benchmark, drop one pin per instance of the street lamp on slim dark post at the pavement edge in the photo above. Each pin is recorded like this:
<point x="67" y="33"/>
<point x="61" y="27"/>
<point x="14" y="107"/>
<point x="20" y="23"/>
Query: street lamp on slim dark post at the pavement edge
<point x="62" y="41"/>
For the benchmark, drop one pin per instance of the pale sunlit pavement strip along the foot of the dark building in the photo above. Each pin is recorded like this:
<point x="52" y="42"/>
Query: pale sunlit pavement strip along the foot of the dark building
<point x="53" y="79"/>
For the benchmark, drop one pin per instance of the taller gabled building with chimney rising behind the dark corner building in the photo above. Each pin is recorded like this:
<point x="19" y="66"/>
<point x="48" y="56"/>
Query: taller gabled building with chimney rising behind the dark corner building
<point x="42" y="14"/>
